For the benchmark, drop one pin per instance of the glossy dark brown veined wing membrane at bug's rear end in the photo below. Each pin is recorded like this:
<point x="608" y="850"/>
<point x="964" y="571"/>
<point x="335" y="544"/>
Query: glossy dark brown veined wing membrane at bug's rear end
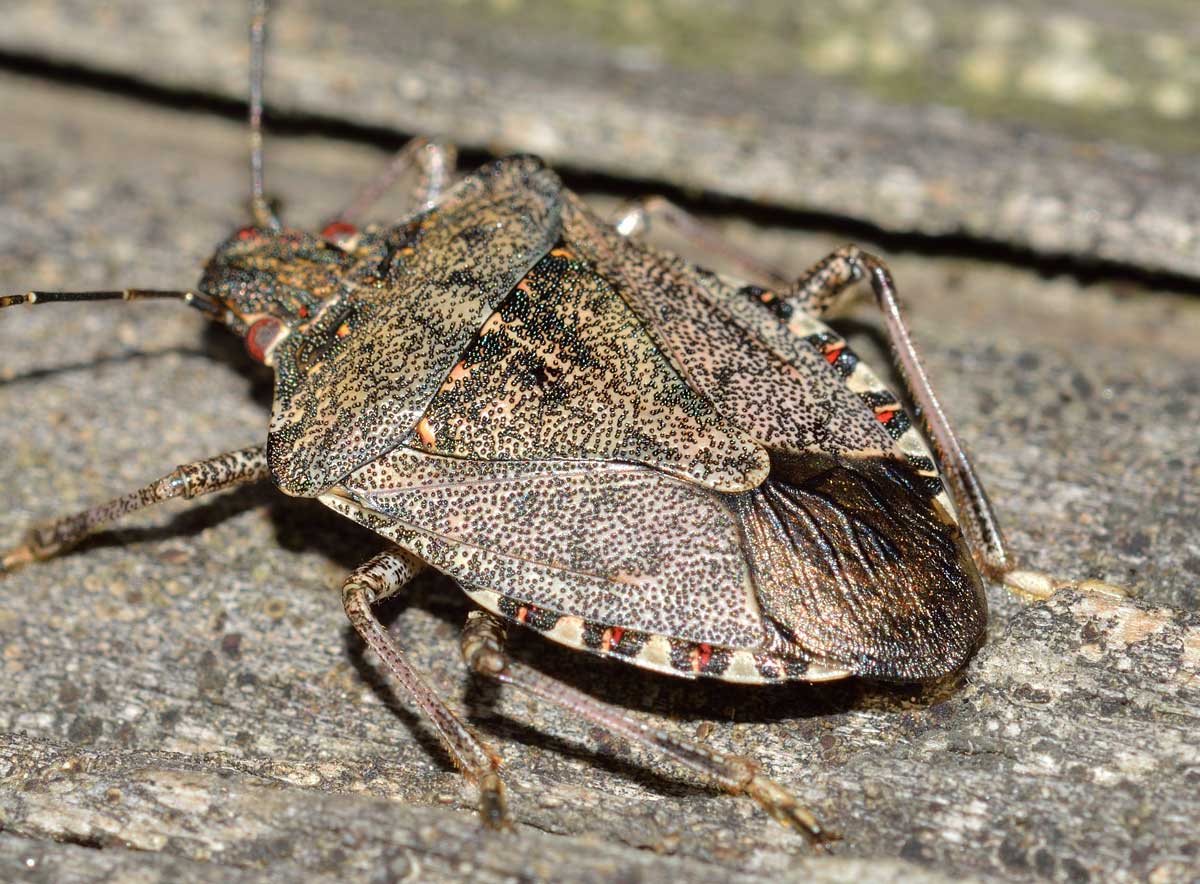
<point x="855" y="561"/>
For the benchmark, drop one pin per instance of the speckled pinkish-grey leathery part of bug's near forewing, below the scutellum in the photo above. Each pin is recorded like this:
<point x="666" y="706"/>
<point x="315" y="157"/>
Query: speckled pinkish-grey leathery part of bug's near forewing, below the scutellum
<point x="615" y="544"/>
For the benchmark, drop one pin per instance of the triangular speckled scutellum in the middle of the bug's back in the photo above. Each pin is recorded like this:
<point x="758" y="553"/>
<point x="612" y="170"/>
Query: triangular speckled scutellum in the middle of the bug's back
<point x="566" y="370"/>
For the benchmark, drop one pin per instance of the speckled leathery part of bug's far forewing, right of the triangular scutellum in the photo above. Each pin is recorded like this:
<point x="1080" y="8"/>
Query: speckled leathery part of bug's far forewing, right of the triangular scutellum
<point x="758" y="375"/>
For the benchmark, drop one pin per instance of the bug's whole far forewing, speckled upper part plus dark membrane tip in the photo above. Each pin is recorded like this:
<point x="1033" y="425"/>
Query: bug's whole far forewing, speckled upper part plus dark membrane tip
<point x="855" y="556"/>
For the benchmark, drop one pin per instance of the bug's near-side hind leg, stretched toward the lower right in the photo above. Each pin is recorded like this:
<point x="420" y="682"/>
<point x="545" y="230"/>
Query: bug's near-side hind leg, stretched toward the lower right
<point x="483" y="648"/>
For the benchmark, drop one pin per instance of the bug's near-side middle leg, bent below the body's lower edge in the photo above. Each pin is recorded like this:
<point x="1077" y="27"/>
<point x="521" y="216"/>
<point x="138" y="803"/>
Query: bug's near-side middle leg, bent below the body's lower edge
<point x="385" y="576"/>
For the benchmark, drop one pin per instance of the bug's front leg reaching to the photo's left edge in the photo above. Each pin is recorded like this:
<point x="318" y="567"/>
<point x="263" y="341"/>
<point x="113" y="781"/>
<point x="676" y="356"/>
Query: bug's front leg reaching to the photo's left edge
<point x="190" y="480"/>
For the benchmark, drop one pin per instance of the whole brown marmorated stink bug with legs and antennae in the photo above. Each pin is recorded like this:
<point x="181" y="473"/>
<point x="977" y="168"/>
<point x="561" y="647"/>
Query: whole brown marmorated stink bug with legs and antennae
<point x="632" y="455"/>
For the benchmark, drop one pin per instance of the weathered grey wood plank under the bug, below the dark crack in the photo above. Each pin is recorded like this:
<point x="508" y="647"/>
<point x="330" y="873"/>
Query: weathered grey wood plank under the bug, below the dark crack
<point x="183" y="700"/>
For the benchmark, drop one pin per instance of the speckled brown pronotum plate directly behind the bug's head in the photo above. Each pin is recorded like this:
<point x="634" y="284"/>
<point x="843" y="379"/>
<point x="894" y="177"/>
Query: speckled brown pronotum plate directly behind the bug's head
<point x="459" y="263"/>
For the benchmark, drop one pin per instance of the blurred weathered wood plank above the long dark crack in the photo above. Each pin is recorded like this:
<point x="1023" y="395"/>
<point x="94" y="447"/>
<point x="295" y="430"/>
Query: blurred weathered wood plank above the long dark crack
<point x="1070" y="131"/>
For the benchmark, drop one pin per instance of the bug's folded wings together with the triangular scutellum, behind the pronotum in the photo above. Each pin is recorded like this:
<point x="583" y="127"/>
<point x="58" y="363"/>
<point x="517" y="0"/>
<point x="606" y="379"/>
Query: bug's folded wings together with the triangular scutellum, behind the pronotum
<point x="623" y="442"/>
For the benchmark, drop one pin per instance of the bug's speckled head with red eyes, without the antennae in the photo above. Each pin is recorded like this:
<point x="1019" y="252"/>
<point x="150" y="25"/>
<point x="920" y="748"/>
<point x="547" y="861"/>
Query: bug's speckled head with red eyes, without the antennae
<point x="271" y="282"/>
